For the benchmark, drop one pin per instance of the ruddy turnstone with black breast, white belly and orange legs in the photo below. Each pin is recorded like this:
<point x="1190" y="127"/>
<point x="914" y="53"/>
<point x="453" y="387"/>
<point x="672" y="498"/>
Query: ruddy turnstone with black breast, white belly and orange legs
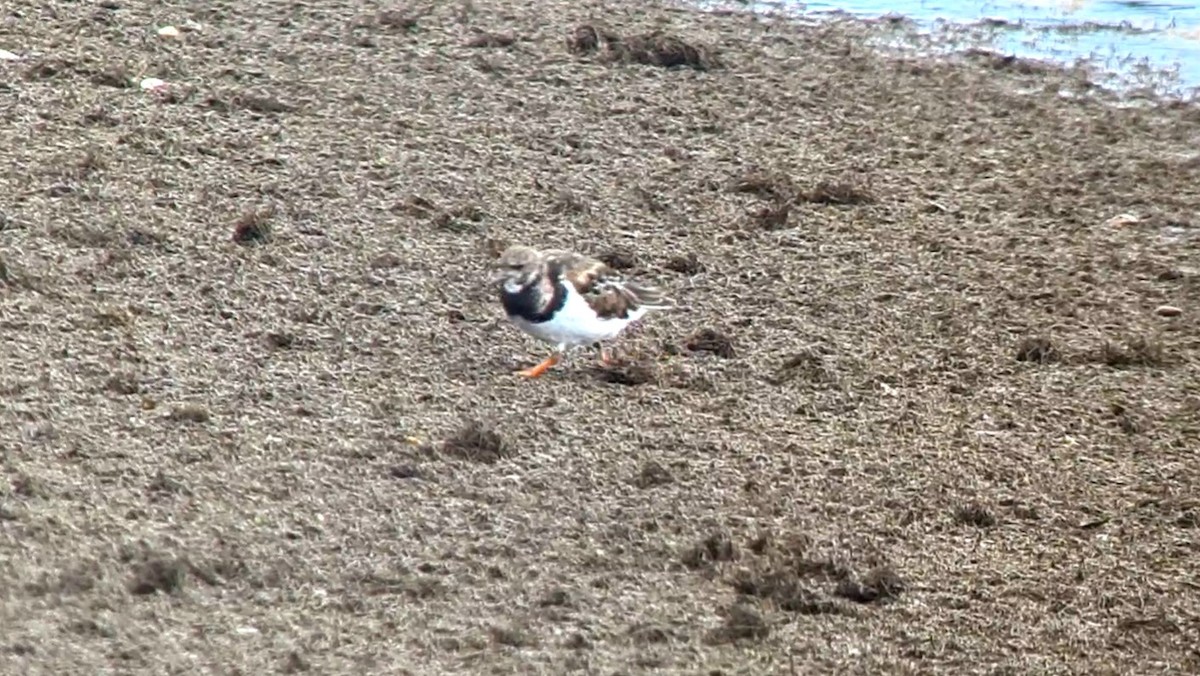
<point x="569" y="301"/>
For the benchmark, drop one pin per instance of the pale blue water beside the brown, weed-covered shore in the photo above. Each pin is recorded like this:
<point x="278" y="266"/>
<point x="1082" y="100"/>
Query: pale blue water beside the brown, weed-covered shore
<point x="1130" y="44"/>
